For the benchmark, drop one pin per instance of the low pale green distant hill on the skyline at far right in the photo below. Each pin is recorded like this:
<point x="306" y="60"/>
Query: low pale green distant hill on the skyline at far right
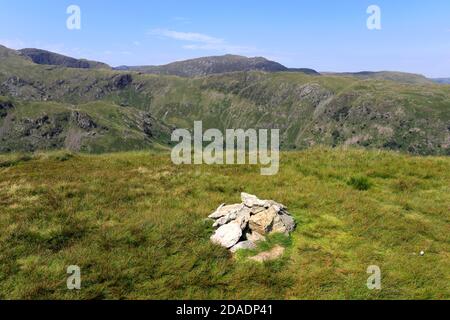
<point x="402" y="77"/>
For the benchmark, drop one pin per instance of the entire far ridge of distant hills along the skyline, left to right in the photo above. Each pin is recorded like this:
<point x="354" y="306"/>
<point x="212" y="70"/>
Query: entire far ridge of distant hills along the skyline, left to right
<point x="208" y="65"/>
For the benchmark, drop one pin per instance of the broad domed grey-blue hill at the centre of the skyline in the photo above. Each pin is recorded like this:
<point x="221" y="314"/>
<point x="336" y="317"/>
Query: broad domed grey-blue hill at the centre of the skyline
<point x="215" y="65"/>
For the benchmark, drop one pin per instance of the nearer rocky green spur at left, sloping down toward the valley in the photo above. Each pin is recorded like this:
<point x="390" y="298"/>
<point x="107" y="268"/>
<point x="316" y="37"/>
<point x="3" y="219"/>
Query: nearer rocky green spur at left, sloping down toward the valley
<point x="89" y="127"/>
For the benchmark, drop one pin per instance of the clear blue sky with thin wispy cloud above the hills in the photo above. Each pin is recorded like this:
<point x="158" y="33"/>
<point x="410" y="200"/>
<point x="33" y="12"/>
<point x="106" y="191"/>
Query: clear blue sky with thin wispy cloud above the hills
<point x="327" y="35"/>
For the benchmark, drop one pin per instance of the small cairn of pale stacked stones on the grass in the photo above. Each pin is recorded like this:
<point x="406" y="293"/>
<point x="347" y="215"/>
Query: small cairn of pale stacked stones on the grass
<point x="241" y="226"/>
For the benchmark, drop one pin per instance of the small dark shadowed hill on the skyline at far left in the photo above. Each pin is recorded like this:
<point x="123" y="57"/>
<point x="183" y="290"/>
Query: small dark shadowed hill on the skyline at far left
<point x="50" y="58"/>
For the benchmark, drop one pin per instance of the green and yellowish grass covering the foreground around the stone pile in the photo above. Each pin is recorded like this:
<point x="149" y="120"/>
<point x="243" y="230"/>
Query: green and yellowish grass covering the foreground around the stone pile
<point x="135" y="224"/>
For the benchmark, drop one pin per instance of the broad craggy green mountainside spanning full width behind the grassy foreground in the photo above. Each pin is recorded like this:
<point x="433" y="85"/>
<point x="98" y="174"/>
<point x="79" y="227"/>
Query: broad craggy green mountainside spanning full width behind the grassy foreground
<point x="101" y="110"/>
